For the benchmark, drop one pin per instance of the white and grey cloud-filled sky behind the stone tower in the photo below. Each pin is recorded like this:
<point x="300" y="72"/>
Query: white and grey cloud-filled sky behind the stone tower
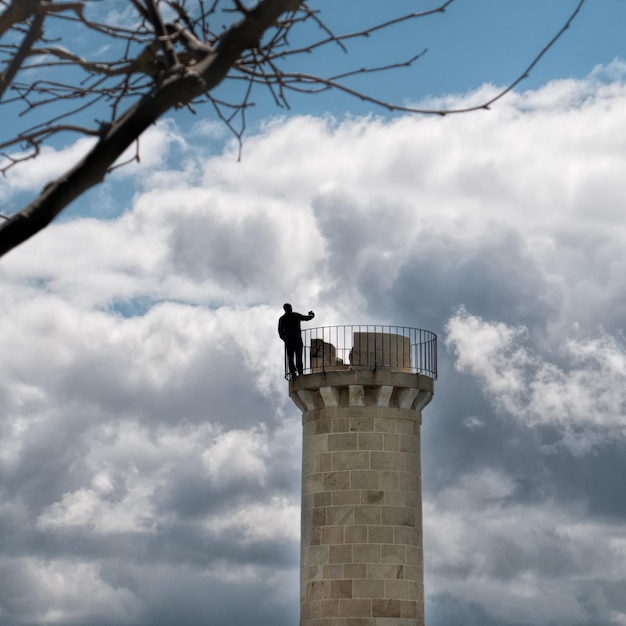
<point x="149" y="453"/>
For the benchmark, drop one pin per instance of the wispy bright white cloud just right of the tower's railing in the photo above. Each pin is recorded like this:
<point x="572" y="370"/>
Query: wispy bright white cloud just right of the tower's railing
<point x="586" y="399"/>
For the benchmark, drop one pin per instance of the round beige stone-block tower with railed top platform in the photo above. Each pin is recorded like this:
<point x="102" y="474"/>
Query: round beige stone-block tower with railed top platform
<point x="361" y="398"/>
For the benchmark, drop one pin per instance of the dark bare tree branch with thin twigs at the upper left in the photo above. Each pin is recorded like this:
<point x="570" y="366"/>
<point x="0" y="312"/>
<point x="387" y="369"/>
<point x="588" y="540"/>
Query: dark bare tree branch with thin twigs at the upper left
<point x="153" y="66"/>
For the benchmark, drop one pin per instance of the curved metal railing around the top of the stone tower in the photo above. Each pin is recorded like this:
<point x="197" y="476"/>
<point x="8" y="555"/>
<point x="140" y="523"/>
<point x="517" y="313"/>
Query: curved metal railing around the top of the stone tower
<point x="333" y="348"/>
